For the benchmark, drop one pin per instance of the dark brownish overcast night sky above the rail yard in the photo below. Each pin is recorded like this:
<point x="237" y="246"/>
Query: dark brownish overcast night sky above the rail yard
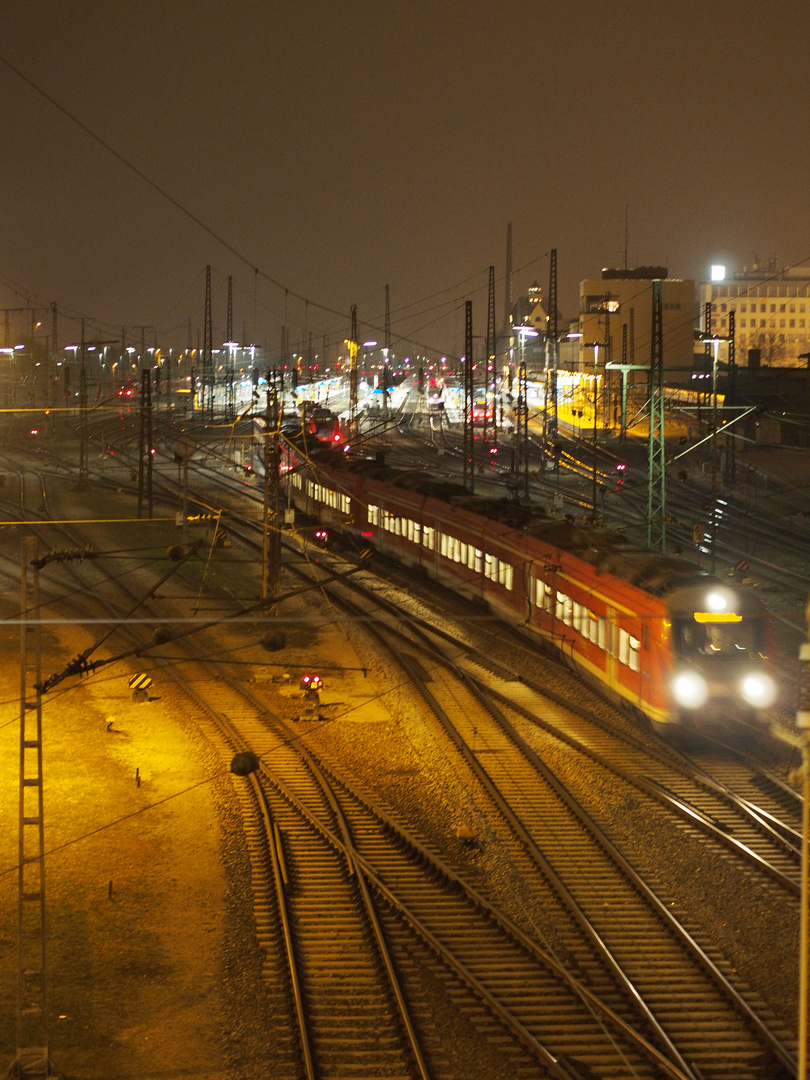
<point x="342" y="146"/>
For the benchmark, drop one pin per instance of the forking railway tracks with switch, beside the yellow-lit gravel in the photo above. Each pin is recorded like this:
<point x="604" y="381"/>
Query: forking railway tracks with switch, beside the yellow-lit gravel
<point x="345" y="886"/>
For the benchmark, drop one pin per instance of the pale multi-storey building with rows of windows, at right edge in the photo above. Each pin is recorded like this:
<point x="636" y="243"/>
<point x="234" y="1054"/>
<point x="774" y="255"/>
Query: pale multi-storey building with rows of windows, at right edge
<point x="772" y="309"/>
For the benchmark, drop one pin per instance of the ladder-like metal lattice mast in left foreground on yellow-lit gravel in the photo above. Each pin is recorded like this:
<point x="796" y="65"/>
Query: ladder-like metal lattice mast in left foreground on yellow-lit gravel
<point x="33" y="1056"/>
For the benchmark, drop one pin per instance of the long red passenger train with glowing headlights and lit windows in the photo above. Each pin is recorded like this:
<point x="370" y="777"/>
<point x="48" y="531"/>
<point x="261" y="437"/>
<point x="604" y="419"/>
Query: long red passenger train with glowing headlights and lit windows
<point x="653" y="632"/>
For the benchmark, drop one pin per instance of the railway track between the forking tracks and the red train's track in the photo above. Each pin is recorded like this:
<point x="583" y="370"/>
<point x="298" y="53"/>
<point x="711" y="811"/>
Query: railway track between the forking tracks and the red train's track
<point x="605" y="895"/>
